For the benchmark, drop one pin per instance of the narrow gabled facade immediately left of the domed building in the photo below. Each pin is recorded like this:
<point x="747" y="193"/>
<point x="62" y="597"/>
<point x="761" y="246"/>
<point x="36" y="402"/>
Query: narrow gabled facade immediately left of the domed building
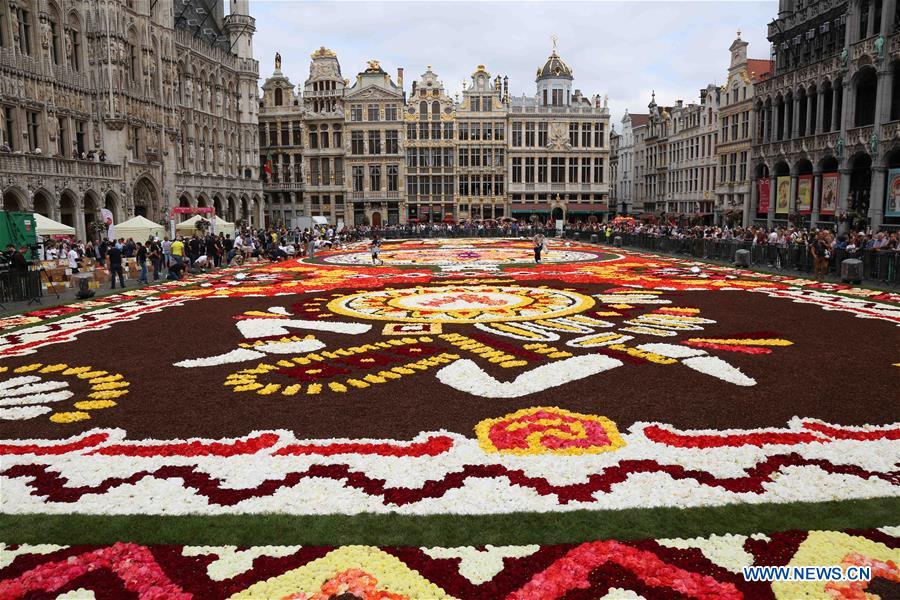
<point x="481" y="148"/>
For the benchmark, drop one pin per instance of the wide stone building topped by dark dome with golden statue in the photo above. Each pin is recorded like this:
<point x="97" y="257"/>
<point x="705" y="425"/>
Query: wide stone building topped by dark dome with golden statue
<point x="559" y="148"/>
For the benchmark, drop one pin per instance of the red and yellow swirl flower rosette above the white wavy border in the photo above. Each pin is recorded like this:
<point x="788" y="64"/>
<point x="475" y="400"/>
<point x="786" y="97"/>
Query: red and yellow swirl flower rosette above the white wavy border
<point x="548" y="430"/>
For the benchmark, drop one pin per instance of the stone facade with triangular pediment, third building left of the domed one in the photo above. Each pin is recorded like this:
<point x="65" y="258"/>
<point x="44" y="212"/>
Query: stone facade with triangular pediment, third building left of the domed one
<point x="373" y="140"/>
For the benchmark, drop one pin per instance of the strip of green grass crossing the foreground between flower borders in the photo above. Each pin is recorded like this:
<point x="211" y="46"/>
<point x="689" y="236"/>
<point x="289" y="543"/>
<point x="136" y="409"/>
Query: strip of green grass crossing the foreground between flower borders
<point x="448" y="530"/>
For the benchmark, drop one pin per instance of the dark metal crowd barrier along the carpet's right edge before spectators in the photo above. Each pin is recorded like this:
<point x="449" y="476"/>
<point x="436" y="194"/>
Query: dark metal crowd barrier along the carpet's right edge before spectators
<point x="879" y="266"/>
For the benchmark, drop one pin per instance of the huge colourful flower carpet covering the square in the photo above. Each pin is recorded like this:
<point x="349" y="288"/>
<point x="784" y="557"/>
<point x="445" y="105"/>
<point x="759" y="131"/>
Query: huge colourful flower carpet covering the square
<point x="457" y="423"/>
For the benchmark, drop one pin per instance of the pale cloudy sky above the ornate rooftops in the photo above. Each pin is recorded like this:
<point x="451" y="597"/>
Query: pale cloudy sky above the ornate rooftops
<point x="620" y="49"/>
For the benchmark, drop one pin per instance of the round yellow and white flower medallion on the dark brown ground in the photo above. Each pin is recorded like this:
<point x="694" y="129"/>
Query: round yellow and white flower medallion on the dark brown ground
<point x="461" y="304"/>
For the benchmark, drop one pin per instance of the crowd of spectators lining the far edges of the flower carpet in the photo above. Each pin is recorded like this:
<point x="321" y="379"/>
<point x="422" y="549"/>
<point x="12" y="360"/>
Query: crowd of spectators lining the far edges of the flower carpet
<point x="174" y="257"/>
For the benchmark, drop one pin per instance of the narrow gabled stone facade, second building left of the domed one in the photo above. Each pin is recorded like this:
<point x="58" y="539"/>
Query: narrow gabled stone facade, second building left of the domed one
<point x="430" y="117"/>
